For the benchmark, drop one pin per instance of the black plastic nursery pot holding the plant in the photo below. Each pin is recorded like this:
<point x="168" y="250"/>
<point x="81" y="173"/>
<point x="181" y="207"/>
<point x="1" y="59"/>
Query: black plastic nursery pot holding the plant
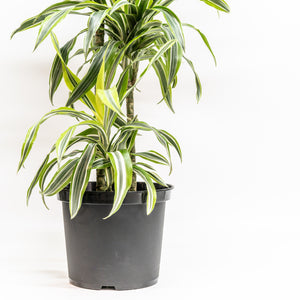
<point x="122" y="252"/>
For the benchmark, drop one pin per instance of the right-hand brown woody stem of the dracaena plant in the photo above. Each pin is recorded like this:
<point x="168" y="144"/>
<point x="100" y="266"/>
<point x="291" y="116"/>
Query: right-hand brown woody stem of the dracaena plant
<point x="130" y="115"/>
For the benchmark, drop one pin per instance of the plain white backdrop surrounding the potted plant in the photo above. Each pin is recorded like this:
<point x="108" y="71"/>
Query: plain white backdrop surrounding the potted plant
<point x="232" y="229"/>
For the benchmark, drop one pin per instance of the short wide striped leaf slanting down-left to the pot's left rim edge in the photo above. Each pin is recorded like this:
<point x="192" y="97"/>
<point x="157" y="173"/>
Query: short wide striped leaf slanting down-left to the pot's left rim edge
<point x="61" y="178"/>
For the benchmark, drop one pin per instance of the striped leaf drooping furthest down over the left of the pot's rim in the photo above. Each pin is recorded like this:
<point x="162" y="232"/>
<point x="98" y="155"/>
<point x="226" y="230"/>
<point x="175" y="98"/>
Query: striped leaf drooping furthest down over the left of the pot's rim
<point x="80" y="178"/>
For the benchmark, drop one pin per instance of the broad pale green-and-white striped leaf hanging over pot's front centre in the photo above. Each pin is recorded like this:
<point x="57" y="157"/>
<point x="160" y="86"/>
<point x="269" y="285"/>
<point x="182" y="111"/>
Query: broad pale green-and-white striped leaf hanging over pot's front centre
<point x="122" y="167"/>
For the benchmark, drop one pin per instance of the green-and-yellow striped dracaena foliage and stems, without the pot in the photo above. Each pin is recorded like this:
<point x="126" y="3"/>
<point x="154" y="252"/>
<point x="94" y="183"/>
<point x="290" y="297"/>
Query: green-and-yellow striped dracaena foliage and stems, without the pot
<point x="119" y="35"/>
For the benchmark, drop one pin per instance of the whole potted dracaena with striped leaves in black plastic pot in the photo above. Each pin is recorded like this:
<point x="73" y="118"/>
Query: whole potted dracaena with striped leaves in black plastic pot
<point x="109" y="246"/>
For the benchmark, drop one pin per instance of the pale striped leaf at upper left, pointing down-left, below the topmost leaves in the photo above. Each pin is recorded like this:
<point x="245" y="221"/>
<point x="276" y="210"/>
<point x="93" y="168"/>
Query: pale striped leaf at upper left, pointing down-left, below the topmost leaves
<point x="49" y="23"/>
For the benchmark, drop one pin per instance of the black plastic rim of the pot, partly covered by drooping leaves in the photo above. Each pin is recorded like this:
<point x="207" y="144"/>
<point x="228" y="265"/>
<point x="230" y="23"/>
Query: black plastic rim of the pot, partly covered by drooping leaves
<point x="92" y="197"/>
